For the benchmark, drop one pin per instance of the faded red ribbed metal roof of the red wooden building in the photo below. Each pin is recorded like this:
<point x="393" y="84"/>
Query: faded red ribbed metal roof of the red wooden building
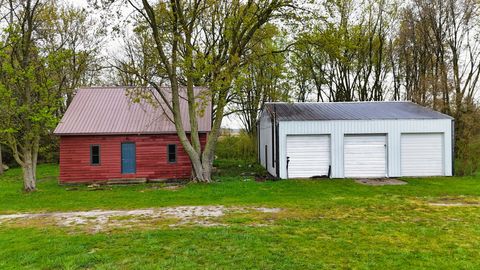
<point x="110" y="110"/>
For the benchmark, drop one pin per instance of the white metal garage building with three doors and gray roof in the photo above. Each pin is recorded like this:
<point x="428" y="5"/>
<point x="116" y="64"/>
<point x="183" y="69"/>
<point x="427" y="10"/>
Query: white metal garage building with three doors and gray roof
<point x="354" y="139"/>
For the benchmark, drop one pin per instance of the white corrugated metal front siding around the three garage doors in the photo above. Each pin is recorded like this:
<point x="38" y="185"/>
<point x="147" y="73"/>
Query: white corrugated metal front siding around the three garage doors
<point x="393" y="129"/>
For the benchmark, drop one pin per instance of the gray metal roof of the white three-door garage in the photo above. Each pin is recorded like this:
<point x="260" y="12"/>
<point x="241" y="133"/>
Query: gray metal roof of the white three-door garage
<point x="379" y="110"/>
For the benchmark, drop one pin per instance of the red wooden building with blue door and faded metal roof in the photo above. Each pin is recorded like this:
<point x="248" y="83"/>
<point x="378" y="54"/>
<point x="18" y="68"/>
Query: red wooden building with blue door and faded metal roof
<point x="104" y="136"/>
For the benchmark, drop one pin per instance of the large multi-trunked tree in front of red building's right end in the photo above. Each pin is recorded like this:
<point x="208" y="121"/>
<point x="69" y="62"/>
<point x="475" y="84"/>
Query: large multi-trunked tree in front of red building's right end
<point x="201" y="43"/>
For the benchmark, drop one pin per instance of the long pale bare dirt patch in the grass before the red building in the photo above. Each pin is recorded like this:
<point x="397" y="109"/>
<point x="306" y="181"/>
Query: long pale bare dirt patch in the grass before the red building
<point x="102" y="220"/>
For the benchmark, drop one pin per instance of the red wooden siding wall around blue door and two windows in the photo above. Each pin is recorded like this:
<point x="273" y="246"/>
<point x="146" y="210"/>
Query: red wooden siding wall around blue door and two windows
<point x="151" y="158"/>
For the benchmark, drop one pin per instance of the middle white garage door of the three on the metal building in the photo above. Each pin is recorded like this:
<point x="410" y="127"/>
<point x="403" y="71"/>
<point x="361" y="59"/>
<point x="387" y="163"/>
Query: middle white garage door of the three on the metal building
<point x="365" y="156"/>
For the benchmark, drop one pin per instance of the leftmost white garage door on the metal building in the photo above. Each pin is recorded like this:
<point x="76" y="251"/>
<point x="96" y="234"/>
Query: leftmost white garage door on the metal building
<point x="309" y="155"/>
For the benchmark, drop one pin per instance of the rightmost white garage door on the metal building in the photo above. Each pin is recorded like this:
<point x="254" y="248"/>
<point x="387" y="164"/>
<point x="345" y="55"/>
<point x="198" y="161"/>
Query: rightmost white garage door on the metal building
<point x="422" y="154"/>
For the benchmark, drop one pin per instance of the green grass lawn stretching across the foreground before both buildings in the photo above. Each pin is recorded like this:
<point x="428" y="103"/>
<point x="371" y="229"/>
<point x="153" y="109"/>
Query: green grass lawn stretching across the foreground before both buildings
<point x="322" y="224"/>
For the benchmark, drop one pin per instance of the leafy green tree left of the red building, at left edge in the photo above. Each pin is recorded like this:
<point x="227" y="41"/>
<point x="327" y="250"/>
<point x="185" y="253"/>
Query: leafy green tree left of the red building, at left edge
<point x="33" y="55"/>
